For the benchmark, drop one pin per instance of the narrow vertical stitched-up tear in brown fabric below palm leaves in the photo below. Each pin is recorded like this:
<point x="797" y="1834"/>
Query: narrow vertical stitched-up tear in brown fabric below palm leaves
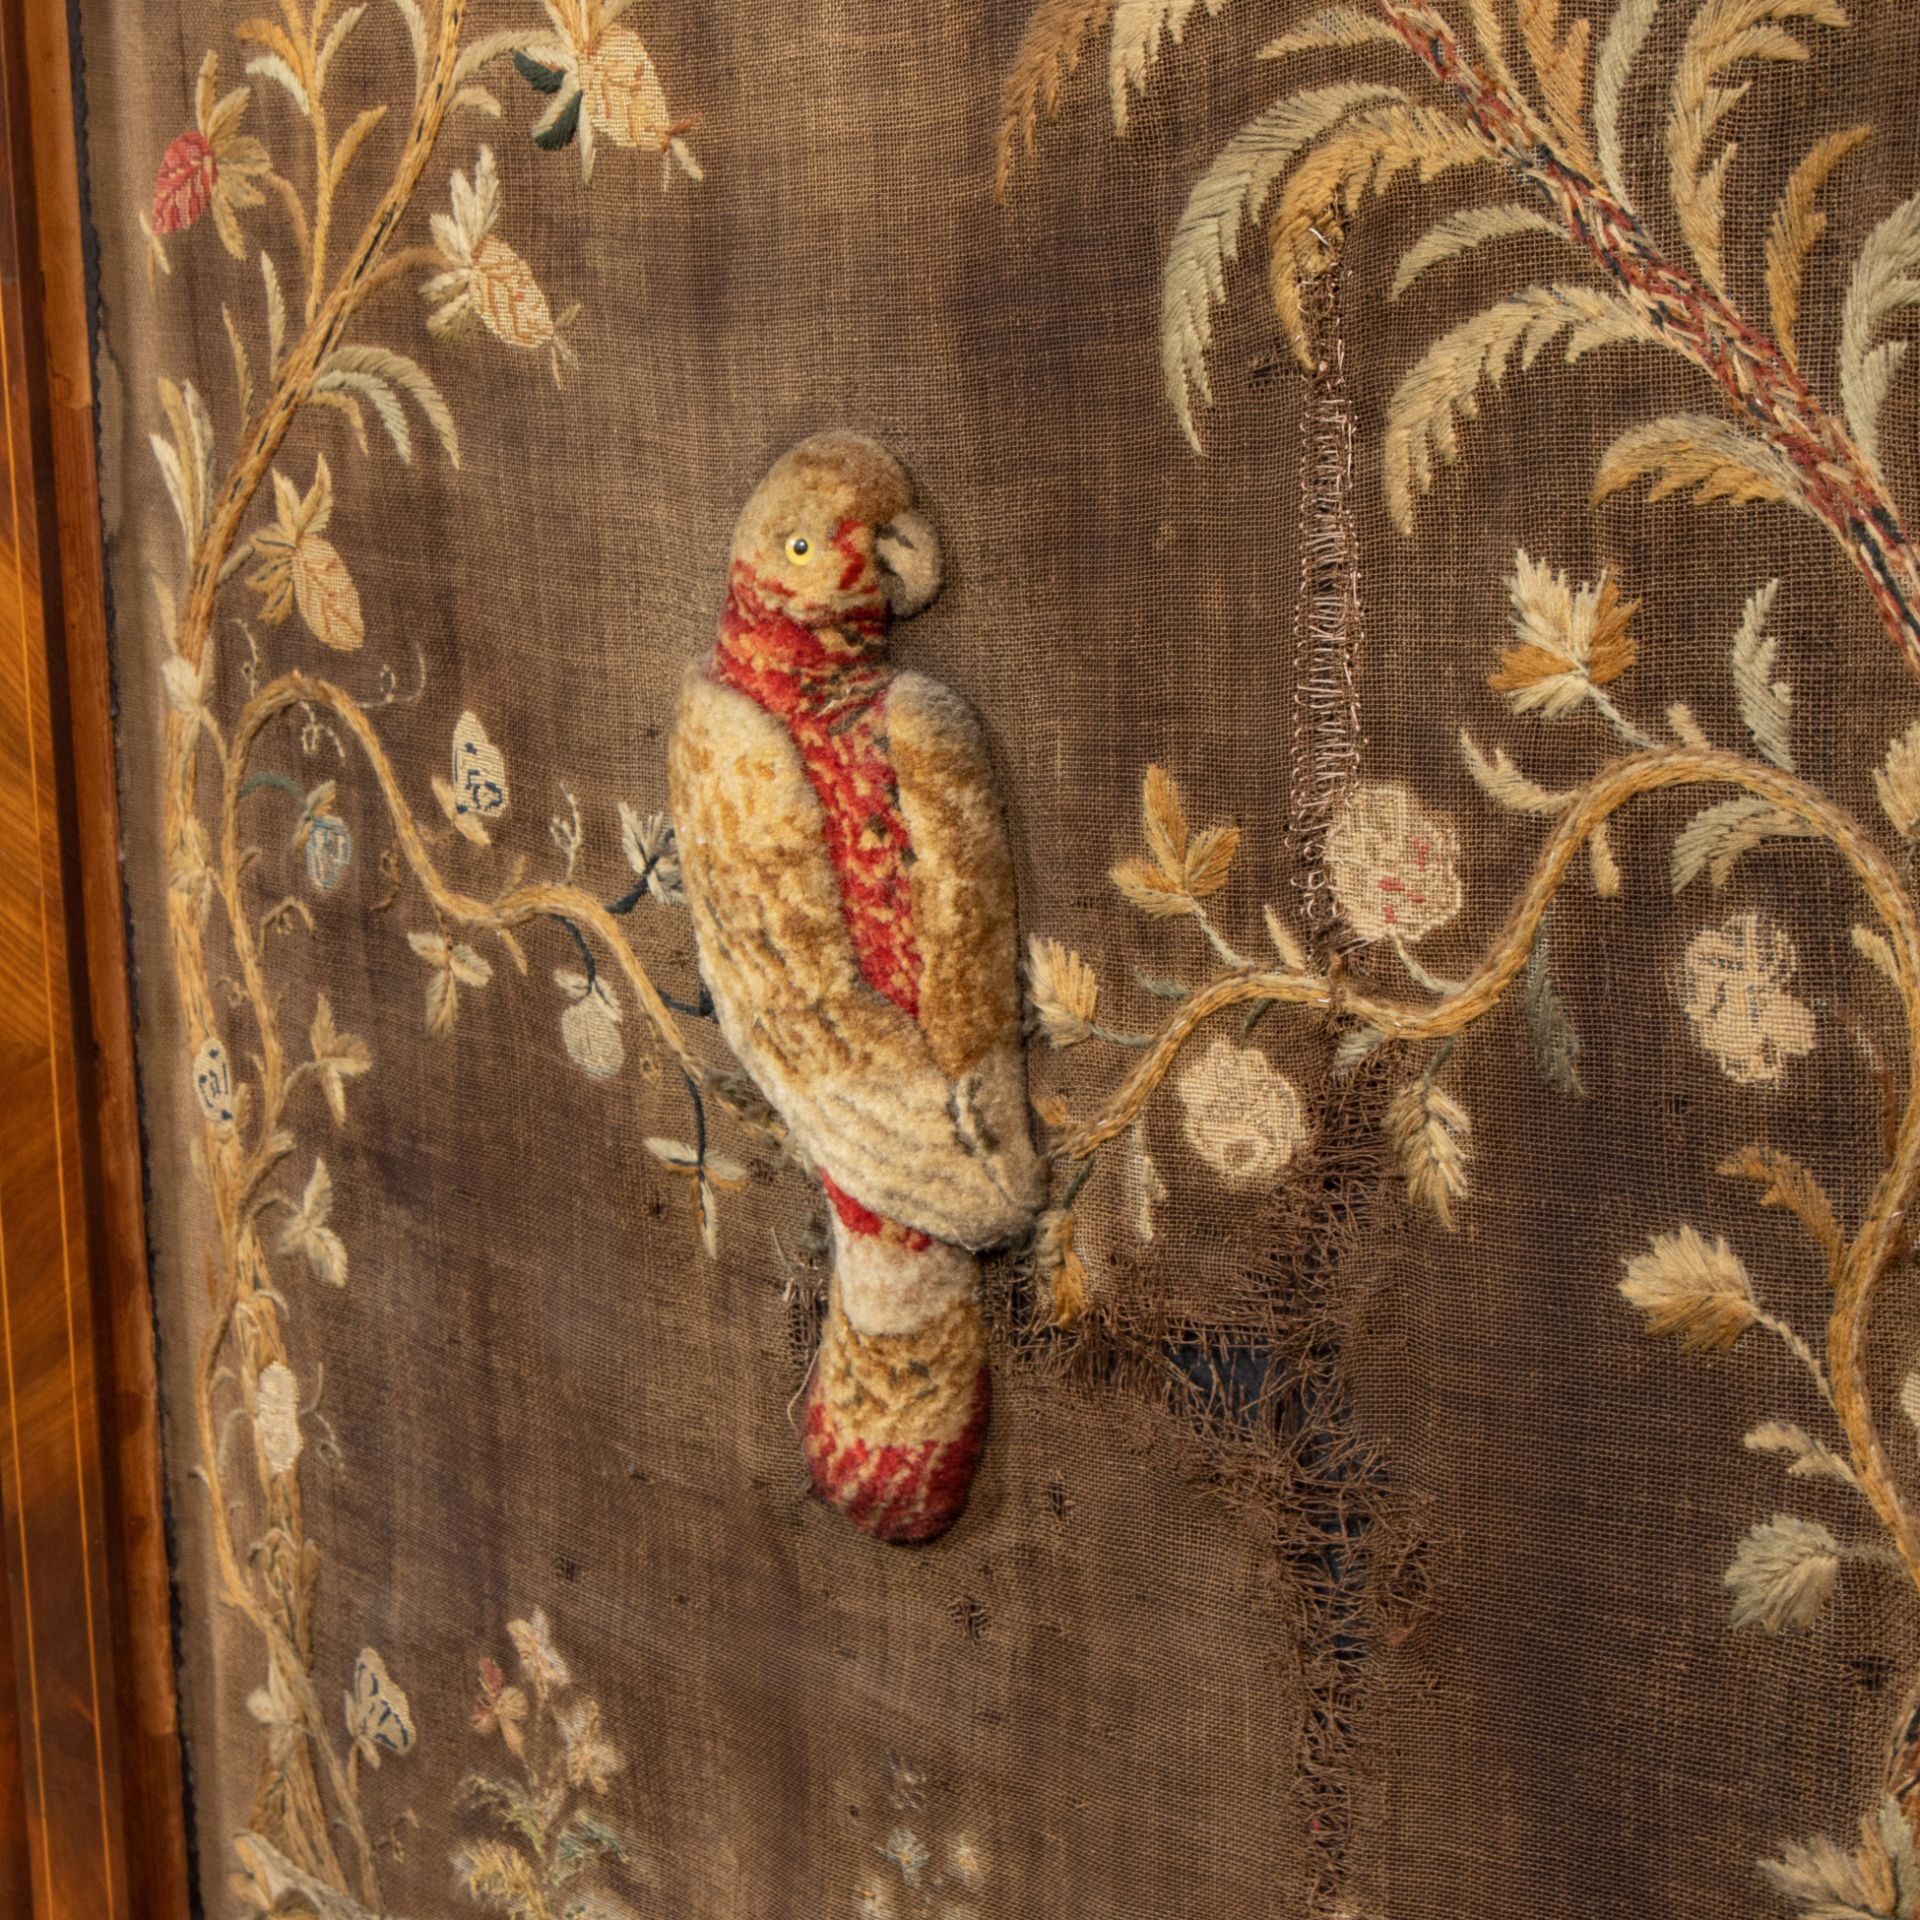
<point x="1330" y="621"/>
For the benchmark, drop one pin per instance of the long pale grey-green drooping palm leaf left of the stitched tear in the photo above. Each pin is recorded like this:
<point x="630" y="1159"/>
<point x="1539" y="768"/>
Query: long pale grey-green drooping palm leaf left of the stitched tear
<point x="1209" y="237"/>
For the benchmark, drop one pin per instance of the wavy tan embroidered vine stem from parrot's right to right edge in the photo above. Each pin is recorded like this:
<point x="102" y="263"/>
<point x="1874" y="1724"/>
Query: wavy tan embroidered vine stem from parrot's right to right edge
<point x="1883" y="1234"/>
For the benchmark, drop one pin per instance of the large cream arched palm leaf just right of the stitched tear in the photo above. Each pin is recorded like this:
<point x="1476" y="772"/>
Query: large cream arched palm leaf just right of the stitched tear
<point x="1422" y="421"/>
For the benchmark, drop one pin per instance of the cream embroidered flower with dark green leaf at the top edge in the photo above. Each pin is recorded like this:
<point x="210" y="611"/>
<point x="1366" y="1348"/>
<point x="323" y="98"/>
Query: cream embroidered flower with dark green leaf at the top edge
<point x="604" y="85"/>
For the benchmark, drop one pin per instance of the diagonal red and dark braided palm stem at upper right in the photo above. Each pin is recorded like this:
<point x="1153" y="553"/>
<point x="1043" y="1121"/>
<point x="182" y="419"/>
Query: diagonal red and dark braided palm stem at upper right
<point x="1836" y="481"/>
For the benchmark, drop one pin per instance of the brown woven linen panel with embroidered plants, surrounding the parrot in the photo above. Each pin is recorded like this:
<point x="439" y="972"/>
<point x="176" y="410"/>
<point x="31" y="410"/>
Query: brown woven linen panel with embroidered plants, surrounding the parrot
<point x="1422" y="494"/>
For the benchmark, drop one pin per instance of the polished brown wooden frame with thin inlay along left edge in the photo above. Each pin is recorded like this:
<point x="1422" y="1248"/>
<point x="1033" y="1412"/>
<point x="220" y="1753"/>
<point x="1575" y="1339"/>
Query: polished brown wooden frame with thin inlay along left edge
<point x="91" y="1802"/>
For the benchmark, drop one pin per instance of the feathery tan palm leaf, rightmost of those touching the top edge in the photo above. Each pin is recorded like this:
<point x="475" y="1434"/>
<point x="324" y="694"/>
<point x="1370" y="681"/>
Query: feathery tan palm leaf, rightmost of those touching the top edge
<point x="1721" y="36"/>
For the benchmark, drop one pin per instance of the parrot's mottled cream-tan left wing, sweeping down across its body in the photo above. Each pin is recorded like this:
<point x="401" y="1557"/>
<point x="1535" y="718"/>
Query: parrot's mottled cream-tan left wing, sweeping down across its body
<point x="855" y="1078"/>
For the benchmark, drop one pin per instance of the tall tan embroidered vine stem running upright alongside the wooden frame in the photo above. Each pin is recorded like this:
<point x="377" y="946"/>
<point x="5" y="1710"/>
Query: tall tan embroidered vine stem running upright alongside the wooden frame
<point x="274" y="1585"/>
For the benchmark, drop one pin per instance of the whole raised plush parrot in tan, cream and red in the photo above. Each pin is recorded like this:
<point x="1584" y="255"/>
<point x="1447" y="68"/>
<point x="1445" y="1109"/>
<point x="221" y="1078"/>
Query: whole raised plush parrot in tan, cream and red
<point x="853" y="900"/>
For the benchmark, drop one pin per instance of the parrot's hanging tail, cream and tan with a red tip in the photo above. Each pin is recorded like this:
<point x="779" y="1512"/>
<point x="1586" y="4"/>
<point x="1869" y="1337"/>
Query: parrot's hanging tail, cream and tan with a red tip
<point x="898" y="1403"/>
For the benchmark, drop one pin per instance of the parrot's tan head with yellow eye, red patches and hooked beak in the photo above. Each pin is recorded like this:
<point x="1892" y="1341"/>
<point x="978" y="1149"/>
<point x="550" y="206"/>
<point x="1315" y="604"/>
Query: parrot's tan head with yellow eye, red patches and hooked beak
<point x="832" y="539"/>
